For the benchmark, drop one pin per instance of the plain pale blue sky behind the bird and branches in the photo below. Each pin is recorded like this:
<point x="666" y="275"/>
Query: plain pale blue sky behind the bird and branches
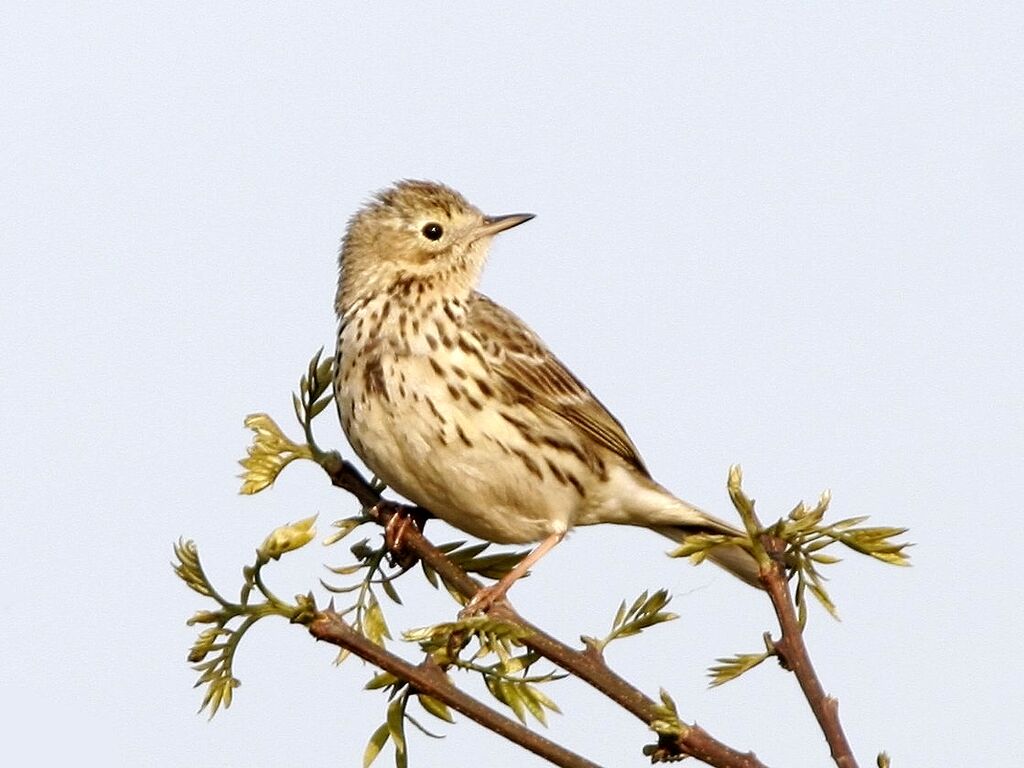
<point x="782" y="236"/>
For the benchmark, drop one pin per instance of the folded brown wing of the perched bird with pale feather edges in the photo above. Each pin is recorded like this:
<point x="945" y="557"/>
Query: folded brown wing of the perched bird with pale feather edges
<point x="530" y="374"/>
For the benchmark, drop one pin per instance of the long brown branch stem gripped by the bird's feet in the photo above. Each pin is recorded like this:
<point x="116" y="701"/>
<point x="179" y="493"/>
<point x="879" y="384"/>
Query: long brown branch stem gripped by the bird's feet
<point x="587" y="665"/>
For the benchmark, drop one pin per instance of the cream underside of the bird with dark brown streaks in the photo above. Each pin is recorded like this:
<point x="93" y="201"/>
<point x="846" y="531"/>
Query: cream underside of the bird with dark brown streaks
<point x="445" y="446"/>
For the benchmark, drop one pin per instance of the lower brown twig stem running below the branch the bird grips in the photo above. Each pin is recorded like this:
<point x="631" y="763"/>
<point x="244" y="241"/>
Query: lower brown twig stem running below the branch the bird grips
<point x="428" y="678"/>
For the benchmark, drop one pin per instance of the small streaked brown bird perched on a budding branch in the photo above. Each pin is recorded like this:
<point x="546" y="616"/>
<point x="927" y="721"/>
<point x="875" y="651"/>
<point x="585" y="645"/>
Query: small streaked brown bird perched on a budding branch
<point x="453" y="402"/>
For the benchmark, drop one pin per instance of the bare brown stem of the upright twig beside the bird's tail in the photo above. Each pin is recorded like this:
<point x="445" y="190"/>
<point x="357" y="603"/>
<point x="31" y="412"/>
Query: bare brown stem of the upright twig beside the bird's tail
<point x="792" y="652"/>
